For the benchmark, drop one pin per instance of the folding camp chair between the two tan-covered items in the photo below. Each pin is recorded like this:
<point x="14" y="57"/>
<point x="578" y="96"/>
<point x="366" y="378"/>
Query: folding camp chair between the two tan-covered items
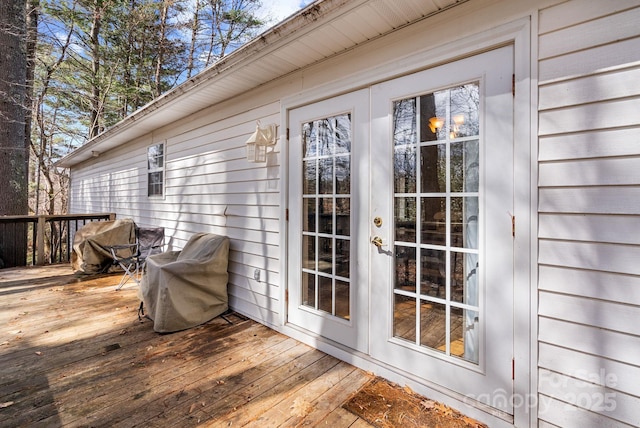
<point x="132" y="257"/>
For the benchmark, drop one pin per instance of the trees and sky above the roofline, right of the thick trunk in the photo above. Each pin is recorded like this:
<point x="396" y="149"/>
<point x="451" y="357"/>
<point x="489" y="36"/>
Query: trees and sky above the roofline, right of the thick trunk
<point x="98" y="61"/>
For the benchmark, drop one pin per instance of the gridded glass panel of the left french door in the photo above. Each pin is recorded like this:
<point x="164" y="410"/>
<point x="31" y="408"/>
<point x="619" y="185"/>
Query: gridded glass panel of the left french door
<point x="326" y="224"/>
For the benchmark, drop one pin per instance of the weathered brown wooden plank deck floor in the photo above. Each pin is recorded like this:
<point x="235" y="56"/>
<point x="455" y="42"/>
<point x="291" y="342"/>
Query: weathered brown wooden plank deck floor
<point x="73" y="353"/>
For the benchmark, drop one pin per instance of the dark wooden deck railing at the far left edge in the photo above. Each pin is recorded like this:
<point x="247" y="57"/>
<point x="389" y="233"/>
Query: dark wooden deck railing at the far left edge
<point x="38" y="240"/>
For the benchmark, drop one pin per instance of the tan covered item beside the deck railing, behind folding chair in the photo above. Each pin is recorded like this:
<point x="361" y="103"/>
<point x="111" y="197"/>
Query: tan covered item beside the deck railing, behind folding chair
<point x="91" y="244"/>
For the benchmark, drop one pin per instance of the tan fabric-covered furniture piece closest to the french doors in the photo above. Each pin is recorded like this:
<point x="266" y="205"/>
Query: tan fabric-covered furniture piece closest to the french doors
<point x="183" y="289"/>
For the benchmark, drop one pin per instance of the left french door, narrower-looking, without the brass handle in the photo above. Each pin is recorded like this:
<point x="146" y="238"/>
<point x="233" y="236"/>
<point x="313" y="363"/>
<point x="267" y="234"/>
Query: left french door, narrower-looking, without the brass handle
<point x="328" y="211"/>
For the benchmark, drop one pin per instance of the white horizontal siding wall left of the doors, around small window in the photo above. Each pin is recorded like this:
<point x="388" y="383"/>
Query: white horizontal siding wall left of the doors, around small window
<point x="209" y="187"/>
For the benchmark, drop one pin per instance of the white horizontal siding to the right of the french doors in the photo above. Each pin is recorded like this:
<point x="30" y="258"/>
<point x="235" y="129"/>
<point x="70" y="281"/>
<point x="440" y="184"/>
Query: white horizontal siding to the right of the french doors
<point x="589" y="206"/>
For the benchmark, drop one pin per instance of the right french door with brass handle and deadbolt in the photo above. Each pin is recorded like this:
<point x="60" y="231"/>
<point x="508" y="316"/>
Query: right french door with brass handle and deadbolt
<point x="441" y="200"/>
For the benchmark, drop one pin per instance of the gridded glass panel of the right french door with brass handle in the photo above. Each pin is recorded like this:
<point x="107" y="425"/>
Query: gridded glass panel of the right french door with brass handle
<point x="436" y="138"/>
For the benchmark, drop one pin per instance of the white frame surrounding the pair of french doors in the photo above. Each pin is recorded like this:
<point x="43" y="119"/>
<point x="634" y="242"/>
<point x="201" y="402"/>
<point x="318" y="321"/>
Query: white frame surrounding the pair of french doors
<point x="518" y="33"/>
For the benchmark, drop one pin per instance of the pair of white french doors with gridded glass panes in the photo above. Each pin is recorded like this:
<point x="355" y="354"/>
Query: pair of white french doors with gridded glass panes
<point x="400" y="231"/>
